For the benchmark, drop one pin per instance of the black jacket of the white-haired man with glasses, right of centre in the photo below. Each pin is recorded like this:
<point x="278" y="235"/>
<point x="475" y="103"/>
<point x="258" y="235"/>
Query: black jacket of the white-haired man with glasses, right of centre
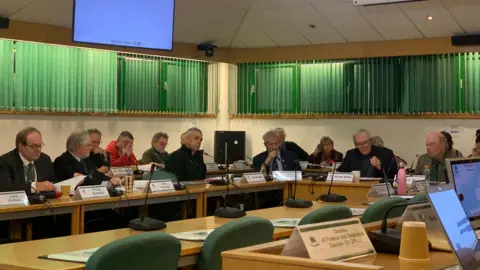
<point x="353" y="162"/>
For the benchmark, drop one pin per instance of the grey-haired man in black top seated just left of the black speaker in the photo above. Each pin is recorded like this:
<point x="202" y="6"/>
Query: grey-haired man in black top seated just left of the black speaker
<point x="187" y="162"/>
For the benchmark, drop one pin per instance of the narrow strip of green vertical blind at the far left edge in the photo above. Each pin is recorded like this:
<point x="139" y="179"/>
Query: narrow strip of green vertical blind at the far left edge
<point x="6" y="74"/>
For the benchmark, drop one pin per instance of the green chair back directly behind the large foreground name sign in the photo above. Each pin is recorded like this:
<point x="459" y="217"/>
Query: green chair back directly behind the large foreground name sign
<point x="326" y="213"/>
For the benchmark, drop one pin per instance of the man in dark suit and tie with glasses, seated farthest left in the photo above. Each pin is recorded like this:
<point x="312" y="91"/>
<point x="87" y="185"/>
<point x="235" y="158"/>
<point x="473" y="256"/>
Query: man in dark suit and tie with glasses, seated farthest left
<point x="26" y="167"/>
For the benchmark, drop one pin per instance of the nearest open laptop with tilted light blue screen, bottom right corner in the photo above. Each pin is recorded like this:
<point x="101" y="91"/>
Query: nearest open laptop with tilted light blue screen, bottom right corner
<point x="456" y="225"/>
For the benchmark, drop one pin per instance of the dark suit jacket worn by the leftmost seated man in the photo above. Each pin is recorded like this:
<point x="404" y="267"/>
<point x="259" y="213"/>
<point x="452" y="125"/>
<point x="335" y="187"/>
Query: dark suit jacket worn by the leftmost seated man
<point x="12" y="175"/>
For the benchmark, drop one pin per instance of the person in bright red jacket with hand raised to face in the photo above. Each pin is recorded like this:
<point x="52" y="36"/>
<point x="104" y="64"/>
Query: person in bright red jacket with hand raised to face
<point x="121" y="151"/>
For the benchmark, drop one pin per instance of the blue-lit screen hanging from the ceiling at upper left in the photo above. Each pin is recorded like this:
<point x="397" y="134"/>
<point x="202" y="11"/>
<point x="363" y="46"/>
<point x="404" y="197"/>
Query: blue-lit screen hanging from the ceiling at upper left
<point x="139" y="23"/>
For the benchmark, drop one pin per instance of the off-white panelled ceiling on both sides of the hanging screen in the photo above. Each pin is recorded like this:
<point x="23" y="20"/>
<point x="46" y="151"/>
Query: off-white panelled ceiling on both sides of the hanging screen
<point x="271" y="23"/>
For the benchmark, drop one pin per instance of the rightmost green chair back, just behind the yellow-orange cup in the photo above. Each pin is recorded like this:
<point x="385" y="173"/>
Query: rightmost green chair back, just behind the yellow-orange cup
<point x="378" y="210"/>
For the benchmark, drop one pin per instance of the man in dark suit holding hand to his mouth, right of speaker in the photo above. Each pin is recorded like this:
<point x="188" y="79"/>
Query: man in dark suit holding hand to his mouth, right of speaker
<point x="274" y="158"/>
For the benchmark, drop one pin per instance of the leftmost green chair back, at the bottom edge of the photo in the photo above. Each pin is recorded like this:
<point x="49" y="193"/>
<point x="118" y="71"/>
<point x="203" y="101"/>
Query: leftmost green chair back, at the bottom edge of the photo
<point x="154" y="250"/>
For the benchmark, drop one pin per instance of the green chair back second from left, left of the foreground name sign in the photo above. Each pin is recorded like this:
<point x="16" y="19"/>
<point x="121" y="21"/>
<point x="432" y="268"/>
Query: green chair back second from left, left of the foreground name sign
<point x="248" y="231"/>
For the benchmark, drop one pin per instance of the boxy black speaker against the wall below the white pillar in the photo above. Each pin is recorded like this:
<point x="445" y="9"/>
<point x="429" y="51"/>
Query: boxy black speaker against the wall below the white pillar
<point x="235" y="146"/>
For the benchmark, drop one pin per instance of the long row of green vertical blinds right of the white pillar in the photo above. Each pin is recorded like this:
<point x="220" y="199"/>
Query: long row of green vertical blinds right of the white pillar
<point x="447" y="83"/>
